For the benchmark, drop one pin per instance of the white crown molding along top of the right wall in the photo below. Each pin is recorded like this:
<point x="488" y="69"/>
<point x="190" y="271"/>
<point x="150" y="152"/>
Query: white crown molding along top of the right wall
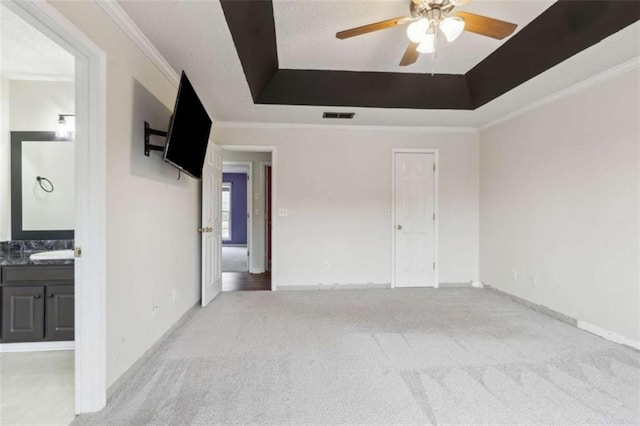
<point x="590" y="82"/>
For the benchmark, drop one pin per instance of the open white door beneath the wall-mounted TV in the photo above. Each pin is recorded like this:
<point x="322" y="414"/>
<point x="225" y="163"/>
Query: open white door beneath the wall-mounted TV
<point x="211" y="215"/>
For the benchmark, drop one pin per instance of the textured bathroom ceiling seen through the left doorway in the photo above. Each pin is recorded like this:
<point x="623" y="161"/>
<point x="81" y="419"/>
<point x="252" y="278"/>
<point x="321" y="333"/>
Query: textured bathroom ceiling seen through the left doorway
<point x="27" y="54"/>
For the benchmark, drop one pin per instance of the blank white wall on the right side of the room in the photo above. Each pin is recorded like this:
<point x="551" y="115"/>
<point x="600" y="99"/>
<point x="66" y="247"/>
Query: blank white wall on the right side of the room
<point x="560" y="202"/>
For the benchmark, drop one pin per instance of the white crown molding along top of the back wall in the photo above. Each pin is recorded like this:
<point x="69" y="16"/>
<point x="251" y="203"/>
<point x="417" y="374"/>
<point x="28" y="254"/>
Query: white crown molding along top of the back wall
<point x="268" y="126"/>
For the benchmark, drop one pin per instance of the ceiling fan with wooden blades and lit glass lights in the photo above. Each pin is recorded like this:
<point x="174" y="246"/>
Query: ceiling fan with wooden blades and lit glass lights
<point x="429" y="15"/>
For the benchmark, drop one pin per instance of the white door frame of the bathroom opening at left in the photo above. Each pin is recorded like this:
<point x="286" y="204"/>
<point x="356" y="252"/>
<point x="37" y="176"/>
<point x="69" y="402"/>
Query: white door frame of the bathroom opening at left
<point x="90" y="171"/>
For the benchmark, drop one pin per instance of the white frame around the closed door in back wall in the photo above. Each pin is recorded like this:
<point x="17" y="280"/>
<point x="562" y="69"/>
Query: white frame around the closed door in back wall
<point x="436" y="248"/>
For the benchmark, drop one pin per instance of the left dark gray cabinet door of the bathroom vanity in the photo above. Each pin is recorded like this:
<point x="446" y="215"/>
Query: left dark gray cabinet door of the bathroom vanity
<point x="22" y="314"/>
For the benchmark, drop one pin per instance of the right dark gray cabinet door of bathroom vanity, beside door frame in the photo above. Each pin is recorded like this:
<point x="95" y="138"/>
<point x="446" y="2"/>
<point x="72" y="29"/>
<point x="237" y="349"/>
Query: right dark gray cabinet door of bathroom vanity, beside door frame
<point x="60" y="305"/>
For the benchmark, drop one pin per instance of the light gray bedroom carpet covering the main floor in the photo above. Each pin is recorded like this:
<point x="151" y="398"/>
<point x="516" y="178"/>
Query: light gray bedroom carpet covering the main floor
<point x="378" y="357"/>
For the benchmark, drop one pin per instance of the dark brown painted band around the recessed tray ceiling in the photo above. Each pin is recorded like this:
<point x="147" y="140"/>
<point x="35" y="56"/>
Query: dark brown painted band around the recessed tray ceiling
<point x="563" y="30"/>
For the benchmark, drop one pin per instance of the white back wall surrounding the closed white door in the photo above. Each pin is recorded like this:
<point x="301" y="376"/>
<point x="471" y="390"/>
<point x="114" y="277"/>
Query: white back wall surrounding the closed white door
<point x="336" y="186"/>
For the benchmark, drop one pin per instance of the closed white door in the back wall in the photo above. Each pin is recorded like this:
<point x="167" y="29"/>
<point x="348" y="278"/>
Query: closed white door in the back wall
<point x="414" y="216"/>
